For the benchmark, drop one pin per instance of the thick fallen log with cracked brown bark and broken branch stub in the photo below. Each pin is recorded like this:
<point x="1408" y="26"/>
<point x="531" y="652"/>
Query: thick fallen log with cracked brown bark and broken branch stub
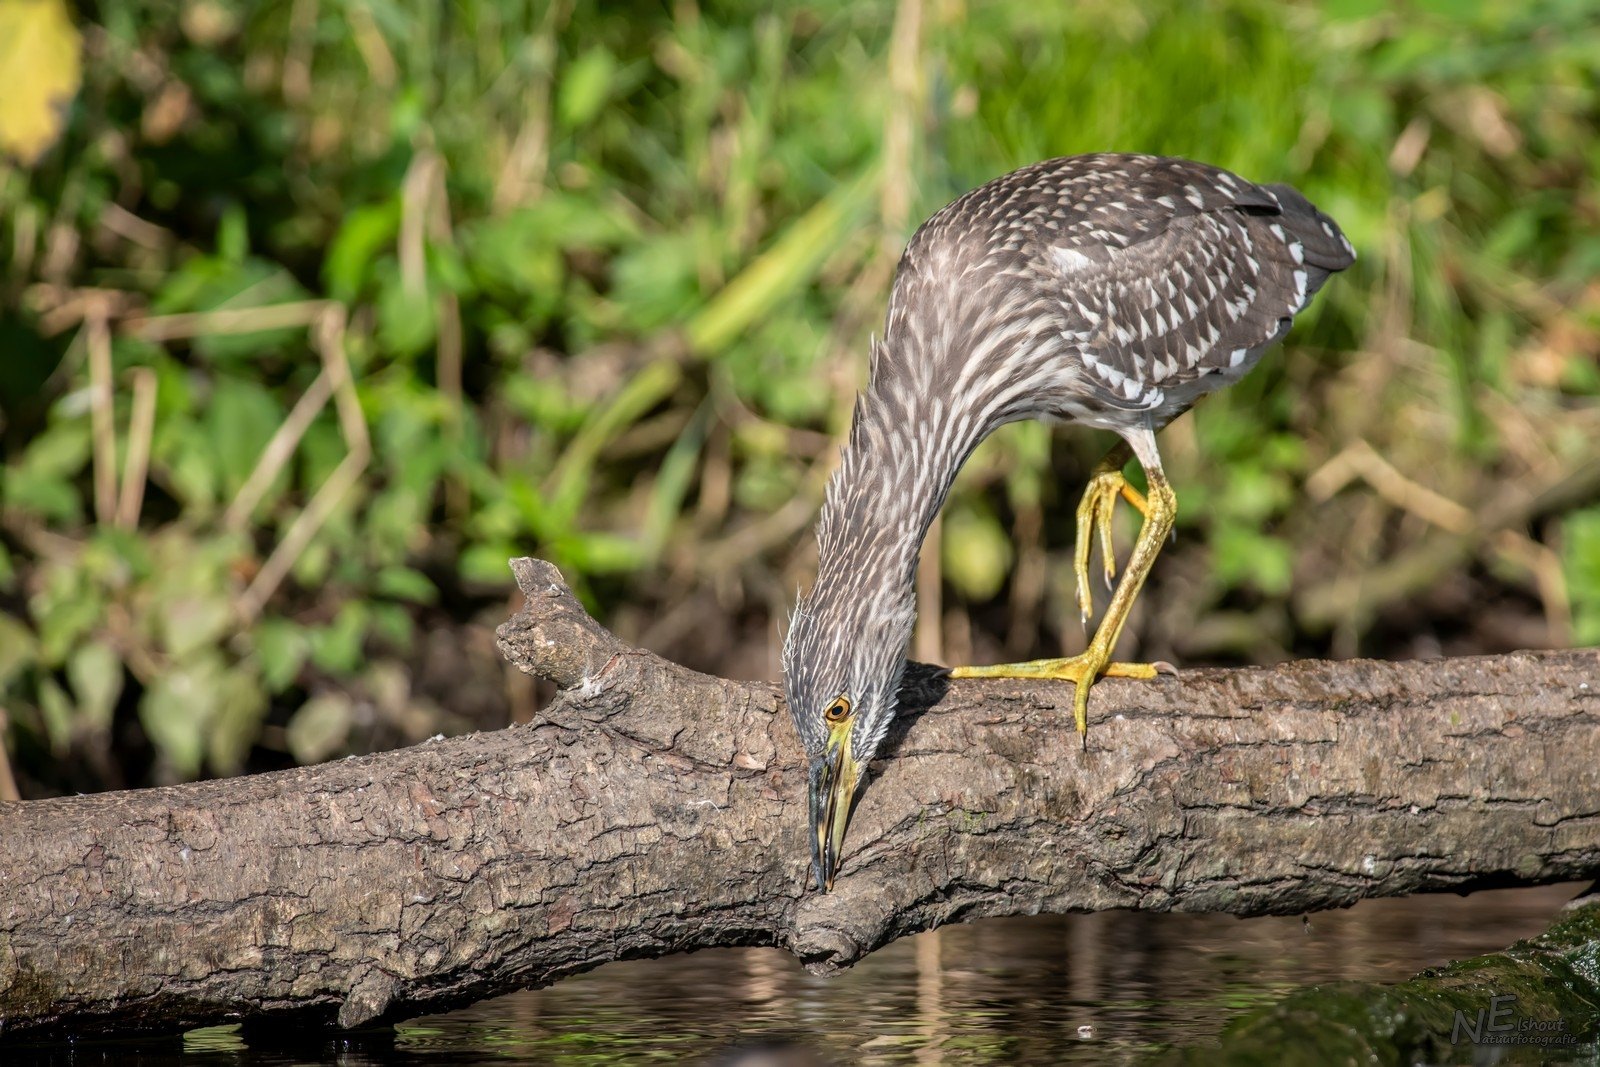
<point x="655" y="810"/>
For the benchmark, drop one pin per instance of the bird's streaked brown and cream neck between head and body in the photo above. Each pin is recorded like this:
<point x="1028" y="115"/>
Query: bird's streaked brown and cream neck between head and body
<point x="897" y="470"/>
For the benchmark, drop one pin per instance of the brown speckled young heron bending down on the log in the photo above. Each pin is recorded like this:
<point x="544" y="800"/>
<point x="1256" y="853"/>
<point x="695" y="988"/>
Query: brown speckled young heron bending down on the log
<point x="1108" y="290"/>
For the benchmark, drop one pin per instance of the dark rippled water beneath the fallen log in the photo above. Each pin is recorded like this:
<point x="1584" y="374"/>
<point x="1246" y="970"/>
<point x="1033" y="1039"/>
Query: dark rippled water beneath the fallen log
<point x="1078" y="989"/>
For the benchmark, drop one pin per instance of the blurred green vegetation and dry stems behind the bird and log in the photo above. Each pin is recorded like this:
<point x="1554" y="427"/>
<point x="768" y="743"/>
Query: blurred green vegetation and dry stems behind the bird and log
<point x="319" y="313"/>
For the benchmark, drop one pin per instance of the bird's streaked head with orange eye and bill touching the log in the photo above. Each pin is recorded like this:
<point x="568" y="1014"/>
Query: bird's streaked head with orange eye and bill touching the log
<point x="844" y="660"/>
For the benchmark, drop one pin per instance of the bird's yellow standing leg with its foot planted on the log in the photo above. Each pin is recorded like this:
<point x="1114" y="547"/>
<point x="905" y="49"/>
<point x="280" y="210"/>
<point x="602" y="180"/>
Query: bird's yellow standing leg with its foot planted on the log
<point x="1161" y="511"/>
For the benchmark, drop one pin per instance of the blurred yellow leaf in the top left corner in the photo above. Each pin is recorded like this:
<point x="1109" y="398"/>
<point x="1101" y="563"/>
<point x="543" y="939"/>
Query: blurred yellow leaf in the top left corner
<point x="39" y="70"/>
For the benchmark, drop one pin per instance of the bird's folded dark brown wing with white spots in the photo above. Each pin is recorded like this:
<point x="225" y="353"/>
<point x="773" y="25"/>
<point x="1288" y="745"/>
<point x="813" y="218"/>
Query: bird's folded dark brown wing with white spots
<point x="1170" y="273"/>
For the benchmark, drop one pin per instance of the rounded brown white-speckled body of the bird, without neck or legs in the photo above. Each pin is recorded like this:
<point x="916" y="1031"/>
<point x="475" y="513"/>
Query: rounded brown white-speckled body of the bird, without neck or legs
<point x="1140" y="284"/>
